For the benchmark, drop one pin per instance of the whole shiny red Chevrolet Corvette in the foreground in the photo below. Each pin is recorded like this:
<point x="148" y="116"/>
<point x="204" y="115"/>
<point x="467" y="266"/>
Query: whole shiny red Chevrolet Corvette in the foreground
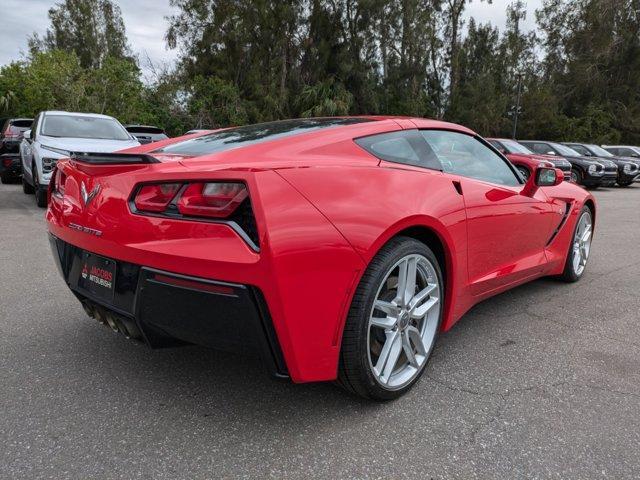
<point x="335" y="248"/>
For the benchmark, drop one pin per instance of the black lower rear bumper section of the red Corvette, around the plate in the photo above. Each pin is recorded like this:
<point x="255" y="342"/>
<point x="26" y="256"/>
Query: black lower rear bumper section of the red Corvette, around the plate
<point x="163" y="309"/>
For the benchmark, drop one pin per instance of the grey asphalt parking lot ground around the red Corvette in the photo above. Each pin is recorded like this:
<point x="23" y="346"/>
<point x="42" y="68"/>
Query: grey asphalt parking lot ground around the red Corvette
<point x="540" y="382"/>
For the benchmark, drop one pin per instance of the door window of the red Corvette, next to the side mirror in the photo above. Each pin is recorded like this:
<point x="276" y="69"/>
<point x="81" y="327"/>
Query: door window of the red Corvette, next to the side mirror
<point x="466" y="156"/>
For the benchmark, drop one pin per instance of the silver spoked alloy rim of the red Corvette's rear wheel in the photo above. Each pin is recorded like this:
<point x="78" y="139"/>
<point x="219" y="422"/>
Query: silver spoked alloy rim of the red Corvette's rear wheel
<point x="403" y="321"/>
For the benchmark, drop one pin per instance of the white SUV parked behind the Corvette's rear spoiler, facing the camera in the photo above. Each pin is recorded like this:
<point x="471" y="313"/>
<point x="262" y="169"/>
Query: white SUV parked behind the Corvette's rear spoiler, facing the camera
<point x="56" y="134"/>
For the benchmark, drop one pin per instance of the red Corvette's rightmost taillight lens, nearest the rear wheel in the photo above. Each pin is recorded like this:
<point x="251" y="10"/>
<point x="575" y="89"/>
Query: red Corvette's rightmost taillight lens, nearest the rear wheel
<point x="218" y="200"/>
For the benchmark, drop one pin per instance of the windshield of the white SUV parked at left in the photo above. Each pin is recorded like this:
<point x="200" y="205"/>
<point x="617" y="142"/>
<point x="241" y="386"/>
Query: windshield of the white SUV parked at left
<point x="75" y="126"/>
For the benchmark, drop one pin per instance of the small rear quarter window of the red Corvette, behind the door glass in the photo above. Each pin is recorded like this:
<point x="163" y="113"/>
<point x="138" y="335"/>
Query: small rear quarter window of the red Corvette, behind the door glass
<point x="404" y="146"/>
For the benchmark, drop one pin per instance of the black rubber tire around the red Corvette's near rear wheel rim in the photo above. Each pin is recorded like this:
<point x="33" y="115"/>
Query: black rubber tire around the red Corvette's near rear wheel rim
<point x="354" y="371"/>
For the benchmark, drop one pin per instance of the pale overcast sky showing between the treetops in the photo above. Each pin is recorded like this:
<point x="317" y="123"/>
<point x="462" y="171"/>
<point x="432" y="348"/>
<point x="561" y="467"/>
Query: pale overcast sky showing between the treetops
<point x="146" y="25"/>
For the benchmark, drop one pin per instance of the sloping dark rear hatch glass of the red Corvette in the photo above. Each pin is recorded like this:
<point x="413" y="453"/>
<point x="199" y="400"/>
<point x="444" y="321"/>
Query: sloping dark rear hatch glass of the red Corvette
<point x="251" y="134"/>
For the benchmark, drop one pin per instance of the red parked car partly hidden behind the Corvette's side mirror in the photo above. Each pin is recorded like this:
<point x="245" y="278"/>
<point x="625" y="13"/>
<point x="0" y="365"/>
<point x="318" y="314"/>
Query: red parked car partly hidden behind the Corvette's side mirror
<point x="584" y="171"/>
